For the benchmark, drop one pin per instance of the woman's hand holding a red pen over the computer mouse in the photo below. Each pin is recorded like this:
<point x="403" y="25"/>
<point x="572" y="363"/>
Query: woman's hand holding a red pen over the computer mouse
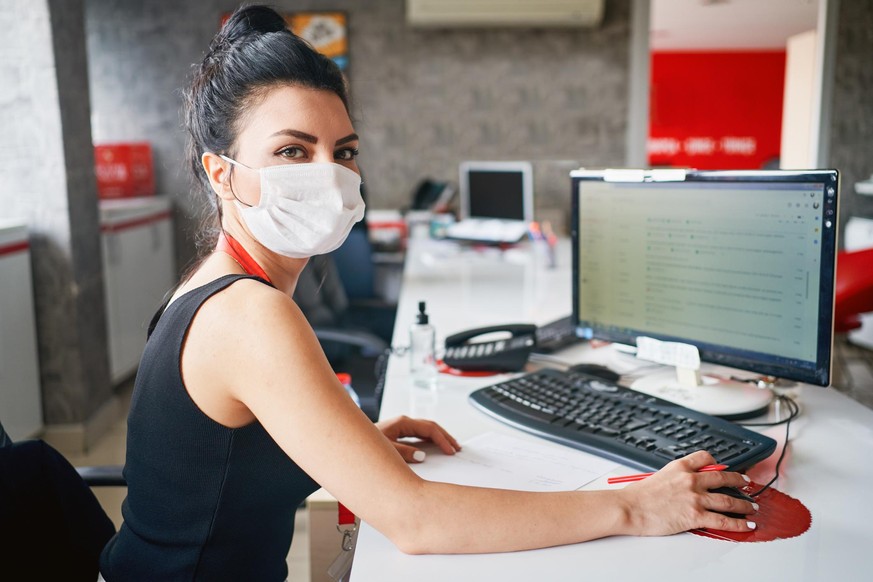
<point x="677" y="498"/>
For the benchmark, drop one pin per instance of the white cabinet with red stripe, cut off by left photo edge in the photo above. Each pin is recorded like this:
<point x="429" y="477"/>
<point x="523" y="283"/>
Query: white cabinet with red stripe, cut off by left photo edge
<point x="20" y="395"/>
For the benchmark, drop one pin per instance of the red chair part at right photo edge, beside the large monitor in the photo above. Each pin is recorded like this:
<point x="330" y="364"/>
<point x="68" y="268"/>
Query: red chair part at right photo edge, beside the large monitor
<point x="854" y="288"/>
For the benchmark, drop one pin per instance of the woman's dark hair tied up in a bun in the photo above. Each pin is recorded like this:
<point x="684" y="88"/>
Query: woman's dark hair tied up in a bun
<point x="252" y="52"/>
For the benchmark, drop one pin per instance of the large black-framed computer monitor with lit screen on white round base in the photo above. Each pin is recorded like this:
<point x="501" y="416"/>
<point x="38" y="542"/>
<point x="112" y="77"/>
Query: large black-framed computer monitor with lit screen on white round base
<point x="739" y="264"/>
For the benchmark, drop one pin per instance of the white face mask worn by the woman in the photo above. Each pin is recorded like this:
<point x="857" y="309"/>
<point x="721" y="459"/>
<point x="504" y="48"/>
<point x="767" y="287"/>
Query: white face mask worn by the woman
<point x="305" y="209"/>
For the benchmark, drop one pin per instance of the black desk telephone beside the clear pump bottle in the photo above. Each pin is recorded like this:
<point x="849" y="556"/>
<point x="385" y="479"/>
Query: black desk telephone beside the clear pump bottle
<point x="500" y="355"/>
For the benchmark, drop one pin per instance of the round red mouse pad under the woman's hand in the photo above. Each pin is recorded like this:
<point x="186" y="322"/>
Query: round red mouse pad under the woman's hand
<point x="779" y="517"/>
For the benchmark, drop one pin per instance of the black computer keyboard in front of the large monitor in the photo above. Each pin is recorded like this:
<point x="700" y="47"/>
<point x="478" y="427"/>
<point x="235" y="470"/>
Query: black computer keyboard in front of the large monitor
<point x="615" y="422"/>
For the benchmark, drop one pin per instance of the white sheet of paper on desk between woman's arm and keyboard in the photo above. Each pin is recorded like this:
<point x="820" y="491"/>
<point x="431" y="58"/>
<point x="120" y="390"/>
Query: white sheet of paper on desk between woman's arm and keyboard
<point x="505" y="462"/>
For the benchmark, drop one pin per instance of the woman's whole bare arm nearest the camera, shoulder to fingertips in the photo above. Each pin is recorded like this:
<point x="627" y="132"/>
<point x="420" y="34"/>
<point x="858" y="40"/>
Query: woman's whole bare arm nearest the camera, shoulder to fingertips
<point x="252" y="346"/>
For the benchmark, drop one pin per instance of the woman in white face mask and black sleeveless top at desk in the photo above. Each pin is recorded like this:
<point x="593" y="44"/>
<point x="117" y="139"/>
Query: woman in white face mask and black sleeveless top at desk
<point x="236" y="415"/>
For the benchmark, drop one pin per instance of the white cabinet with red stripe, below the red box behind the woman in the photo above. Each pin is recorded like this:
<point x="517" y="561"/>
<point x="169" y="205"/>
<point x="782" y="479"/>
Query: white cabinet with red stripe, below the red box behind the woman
<point x="138" y="270"/>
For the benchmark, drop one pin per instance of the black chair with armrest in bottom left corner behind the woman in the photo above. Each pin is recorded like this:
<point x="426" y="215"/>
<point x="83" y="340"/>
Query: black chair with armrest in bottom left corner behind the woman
<point x="47" y="508"/>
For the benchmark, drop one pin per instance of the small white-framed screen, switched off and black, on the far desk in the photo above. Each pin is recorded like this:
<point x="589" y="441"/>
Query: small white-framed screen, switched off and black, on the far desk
<point x="502" y="190"/>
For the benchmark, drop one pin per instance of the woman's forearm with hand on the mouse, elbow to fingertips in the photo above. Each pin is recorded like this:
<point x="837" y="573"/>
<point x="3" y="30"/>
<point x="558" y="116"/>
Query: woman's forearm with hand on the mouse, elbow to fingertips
<point x="456" y="519"/>
